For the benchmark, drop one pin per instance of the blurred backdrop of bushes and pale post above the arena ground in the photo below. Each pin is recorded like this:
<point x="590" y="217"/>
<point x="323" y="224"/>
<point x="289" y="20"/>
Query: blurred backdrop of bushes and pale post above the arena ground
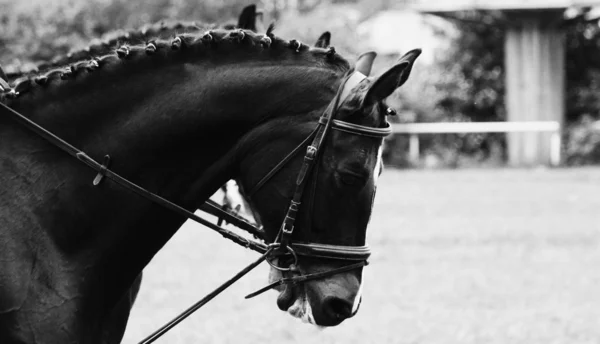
<point x="462" y="75"/>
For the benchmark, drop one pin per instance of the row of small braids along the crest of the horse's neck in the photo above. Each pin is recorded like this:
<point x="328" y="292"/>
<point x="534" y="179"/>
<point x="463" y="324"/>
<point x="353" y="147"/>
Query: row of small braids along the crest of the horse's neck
<point x="184" y="44"/>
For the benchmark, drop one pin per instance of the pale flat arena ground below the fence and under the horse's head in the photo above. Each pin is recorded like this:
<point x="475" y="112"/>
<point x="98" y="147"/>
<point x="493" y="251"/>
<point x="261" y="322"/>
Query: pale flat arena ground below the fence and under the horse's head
<point x="475" y="256"/>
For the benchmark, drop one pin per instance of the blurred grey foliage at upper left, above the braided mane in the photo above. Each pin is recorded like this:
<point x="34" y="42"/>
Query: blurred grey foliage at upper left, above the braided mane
<point x="33" y="31"/>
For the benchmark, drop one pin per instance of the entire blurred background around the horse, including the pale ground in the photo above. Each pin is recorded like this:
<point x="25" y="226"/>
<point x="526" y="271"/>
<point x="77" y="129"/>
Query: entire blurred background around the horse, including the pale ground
<point x="477" y="236"/>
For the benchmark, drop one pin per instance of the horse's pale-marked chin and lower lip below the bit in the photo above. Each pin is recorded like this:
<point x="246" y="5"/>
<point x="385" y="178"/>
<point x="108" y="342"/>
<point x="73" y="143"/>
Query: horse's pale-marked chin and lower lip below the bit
<point x="293" y="299"/>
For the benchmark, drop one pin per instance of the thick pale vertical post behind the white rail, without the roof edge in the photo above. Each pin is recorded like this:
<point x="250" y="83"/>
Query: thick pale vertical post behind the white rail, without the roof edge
<point x="535" y="80"/>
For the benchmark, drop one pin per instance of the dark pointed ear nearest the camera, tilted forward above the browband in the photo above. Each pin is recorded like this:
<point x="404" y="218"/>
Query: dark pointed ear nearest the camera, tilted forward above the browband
<point x="393" y="78"/>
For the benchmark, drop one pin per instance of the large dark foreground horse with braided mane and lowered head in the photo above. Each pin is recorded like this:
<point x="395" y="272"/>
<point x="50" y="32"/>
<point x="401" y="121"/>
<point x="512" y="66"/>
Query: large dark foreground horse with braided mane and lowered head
<point x="72" y="248"/>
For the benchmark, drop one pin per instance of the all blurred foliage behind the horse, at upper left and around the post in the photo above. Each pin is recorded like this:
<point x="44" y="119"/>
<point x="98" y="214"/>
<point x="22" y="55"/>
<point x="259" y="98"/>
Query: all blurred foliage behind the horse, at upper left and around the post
<point x="466" y="83"/>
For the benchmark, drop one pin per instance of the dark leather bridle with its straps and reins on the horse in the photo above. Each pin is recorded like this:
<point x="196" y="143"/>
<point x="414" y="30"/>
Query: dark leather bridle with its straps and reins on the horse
<point x="283" y="244"/>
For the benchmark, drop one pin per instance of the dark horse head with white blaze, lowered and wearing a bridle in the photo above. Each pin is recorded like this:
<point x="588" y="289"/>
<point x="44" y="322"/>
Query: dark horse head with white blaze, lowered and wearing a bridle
<point x="336" y="206"/>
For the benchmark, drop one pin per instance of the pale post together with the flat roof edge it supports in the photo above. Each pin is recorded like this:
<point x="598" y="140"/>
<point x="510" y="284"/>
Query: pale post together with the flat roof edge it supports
<point x="534" y="64"/>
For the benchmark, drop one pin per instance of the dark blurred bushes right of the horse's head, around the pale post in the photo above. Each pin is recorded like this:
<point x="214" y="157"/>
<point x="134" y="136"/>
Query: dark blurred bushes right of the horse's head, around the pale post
<point x="467" y="84"/>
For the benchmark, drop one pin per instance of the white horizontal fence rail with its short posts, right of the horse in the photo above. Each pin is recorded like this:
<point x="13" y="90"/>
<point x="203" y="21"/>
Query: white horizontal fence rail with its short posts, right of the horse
<point x="415" y="129"/>
